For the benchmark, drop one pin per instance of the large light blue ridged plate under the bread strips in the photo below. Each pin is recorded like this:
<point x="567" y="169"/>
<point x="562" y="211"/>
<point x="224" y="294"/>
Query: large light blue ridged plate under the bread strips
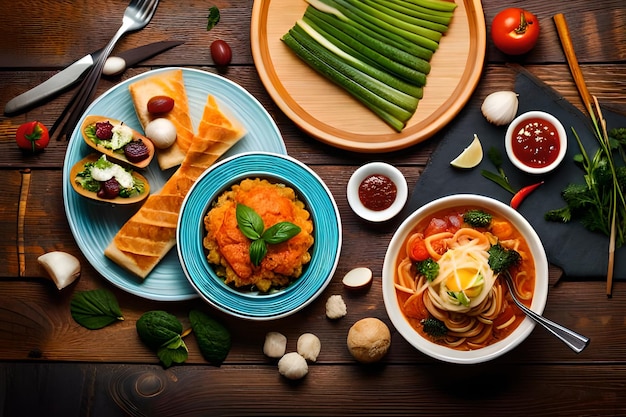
<point x="94" y="224"/>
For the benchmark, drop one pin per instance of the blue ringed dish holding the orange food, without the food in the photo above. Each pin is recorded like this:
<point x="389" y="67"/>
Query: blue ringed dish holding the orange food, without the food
<point x="326" y="231"/>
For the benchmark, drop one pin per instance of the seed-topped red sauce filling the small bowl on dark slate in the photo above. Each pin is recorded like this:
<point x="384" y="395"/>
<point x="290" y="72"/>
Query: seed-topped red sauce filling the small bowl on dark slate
<point x="536" y="142"/>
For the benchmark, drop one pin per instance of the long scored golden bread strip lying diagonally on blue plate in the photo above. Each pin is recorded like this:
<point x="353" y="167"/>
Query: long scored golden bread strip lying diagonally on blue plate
<point x="150" y="233"/>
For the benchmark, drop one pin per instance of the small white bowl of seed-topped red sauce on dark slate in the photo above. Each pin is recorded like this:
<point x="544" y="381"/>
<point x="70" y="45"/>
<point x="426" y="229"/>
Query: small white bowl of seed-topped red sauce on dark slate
<point x="536" y="142"/>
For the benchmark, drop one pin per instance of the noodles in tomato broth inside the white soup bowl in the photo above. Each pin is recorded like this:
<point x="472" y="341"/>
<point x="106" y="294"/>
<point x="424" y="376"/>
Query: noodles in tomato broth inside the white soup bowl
<point x="466" y="295"/>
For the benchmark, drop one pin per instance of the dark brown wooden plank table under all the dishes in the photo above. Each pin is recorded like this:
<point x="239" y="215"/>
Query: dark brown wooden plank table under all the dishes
<point x="49" y="365"/>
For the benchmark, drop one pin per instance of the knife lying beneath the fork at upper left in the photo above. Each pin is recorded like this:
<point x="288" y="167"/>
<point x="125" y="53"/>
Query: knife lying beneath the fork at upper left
<point x="74" y="72"/>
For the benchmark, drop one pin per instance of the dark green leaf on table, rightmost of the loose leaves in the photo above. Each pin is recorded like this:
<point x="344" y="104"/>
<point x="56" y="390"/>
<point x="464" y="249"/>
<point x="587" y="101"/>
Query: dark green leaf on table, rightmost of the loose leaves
<point x="213" y="338"/>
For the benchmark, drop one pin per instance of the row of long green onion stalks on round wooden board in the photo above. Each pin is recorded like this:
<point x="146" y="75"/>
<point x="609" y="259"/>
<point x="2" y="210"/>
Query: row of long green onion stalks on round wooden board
<point x="378" y="51"/>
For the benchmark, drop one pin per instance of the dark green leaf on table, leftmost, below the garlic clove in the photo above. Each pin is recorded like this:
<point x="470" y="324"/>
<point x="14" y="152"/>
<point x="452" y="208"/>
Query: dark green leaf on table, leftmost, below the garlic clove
<point x="95" y="309"/>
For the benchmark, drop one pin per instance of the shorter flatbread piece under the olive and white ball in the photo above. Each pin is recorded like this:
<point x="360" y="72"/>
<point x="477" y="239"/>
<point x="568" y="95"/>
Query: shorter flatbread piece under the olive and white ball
<point x="171" y="84"/>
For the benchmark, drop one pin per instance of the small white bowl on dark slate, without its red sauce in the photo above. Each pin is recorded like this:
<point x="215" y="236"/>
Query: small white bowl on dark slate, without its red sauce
<point x="508" y="143"/>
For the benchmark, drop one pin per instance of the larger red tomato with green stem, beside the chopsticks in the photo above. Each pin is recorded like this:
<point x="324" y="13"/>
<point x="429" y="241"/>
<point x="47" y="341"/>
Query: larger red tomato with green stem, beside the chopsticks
<point x="515" y="31"/>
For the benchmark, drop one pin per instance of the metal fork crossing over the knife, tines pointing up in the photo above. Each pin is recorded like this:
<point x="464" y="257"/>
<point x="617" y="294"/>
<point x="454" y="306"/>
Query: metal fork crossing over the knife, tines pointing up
<point x="136" y="16"/>
